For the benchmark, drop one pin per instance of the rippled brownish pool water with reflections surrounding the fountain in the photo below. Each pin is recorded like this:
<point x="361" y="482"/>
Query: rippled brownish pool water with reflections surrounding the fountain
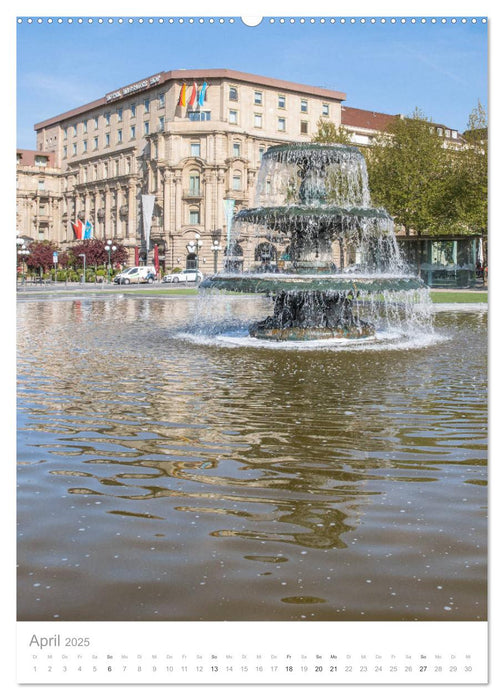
<point x="161" y="478"/>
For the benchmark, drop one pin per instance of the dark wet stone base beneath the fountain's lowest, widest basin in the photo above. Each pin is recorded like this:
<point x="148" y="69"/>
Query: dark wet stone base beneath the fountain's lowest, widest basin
<point x="312" y="315"/>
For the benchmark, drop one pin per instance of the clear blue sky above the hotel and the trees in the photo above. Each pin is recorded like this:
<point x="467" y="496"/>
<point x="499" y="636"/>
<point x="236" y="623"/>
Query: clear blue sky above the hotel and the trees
<point x="440" y="68"/>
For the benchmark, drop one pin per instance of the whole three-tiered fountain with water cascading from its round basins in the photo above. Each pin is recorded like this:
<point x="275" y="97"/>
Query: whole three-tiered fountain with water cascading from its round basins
<point x="313" y="205"/>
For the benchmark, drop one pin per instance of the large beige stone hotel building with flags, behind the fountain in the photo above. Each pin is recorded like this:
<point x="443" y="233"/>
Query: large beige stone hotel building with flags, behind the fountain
<point x="191" y="138"/>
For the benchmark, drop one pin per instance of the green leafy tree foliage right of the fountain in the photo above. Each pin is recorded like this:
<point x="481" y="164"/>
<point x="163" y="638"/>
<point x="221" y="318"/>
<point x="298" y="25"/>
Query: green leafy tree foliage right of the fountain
<point x="428" y="187"/>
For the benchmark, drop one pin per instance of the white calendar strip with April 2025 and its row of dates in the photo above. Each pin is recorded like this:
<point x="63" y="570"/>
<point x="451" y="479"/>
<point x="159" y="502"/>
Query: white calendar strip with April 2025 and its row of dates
<point x="208" y="653"/>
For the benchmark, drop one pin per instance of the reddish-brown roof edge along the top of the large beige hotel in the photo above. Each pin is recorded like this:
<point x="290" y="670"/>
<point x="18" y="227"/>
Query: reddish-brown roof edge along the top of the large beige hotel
<point x="197" y="74"/>
